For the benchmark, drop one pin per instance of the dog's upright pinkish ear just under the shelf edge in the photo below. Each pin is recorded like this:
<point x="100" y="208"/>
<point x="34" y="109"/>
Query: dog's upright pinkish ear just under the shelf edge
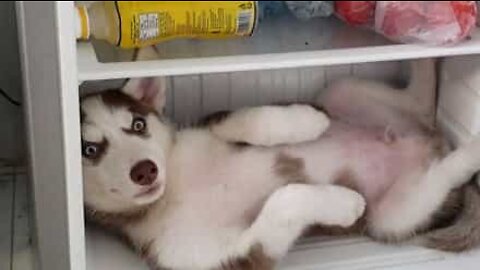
<point x="148" y="91"/>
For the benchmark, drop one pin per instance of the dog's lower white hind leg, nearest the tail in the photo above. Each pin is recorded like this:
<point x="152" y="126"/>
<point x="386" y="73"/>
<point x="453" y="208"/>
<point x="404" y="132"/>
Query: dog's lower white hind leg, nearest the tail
<point x="409" y="205"/>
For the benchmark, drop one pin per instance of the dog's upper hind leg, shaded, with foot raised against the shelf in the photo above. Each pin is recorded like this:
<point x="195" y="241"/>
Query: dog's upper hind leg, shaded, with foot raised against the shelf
<point x="377" y="104"/>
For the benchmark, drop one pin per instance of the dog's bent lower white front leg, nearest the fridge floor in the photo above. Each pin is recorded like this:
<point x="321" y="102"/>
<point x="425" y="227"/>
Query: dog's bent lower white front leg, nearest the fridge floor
<point x="292" y="209"/>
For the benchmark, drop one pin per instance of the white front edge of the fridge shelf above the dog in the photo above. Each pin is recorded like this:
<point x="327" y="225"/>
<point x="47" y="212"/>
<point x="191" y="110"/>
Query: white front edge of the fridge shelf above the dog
<point x="90" y="68"/>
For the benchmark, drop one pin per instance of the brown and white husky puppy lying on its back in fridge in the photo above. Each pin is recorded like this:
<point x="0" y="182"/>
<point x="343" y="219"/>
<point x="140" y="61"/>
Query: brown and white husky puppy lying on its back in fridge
<point x="237" y="192"/>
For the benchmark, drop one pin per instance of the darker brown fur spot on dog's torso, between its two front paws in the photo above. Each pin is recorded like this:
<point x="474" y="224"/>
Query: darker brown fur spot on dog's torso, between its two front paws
<point x="290" y="168"/>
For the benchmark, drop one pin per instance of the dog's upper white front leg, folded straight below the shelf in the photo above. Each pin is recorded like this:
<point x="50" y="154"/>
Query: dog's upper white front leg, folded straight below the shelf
<point x="271" y="125"/>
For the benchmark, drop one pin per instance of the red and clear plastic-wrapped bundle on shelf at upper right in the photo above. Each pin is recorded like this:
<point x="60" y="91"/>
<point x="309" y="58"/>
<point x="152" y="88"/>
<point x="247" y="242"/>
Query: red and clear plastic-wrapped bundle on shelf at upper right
<point x="429" y="22"/>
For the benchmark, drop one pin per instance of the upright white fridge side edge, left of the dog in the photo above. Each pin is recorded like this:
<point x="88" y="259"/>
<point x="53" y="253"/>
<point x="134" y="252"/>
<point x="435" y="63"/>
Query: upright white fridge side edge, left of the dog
<point x="46" y="32"/>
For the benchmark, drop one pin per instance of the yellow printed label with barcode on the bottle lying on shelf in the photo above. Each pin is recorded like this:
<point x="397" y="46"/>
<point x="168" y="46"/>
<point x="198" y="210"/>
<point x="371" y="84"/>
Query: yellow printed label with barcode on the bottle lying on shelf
<point x="144" y="23"/>
